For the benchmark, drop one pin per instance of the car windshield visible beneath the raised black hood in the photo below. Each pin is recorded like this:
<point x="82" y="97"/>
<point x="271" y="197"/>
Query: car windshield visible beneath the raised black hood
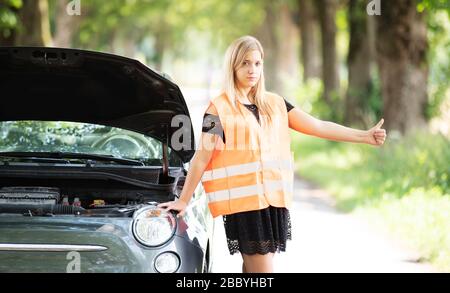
<point x="72" y="137"/>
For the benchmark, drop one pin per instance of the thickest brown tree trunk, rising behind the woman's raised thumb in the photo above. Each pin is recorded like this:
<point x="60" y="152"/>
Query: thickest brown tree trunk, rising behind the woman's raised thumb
<point x="402" y="46"/>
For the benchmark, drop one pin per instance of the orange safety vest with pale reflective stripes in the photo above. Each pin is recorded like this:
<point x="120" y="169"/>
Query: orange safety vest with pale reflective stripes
<point x="254" y="168"/>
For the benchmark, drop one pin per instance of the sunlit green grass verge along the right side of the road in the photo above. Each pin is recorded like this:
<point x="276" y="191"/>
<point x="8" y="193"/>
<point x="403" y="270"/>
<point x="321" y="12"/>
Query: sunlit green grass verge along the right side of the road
<point x="403" y="186"/>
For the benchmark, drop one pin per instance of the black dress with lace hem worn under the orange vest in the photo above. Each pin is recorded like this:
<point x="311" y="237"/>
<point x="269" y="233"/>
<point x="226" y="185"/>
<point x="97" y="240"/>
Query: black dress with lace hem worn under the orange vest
<point x="253" y="232"/>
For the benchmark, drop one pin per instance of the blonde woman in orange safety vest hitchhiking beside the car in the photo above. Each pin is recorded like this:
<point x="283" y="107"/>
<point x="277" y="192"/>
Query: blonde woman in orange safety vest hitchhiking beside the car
<point x="245" y="161"/>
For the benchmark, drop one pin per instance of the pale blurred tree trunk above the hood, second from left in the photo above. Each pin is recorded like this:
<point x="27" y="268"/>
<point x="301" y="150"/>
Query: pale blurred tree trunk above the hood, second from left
<point x="66" y="25"/>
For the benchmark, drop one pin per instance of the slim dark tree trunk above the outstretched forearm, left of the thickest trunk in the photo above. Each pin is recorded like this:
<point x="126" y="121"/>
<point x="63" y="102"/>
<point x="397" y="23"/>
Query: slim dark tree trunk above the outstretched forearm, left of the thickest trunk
<point x="359" y="63"/>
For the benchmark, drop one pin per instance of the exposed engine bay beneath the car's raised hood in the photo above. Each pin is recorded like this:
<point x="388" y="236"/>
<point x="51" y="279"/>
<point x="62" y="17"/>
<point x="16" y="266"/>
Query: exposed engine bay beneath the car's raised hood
<point x="51" y="201"/>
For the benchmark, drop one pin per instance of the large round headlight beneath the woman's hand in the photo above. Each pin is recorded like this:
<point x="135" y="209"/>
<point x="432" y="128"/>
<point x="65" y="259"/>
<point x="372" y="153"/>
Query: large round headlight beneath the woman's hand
<point x="153" y="226"/>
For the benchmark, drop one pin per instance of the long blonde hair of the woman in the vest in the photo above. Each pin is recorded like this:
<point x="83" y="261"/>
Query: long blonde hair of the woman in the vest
<point x="234" y="58"/>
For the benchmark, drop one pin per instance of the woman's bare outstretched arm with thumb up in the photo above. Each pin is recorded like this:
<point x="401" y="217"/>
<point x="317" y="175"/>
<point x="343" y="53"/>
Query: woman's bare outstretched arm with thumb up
<point x="307" y="124"/>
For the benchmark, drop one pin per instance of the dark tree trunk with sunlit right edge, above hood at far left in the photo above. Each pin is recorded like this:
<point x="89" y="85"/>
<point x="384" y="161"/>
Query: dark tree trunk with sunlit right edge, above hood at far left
<point x="35" y="24"/>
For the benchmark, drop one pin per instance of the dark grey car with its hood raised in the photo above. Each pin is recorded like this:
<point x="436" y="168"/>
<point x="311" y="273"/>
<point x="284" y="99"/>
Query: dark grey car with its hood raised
<point x="90" y="143"/>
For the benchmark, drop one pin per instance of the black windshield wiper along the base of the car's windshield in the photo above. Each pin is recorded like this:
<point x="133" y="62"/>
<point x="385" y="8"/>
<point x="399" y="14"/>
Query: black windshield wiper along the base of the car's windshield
<point x="68" y="156"/>
